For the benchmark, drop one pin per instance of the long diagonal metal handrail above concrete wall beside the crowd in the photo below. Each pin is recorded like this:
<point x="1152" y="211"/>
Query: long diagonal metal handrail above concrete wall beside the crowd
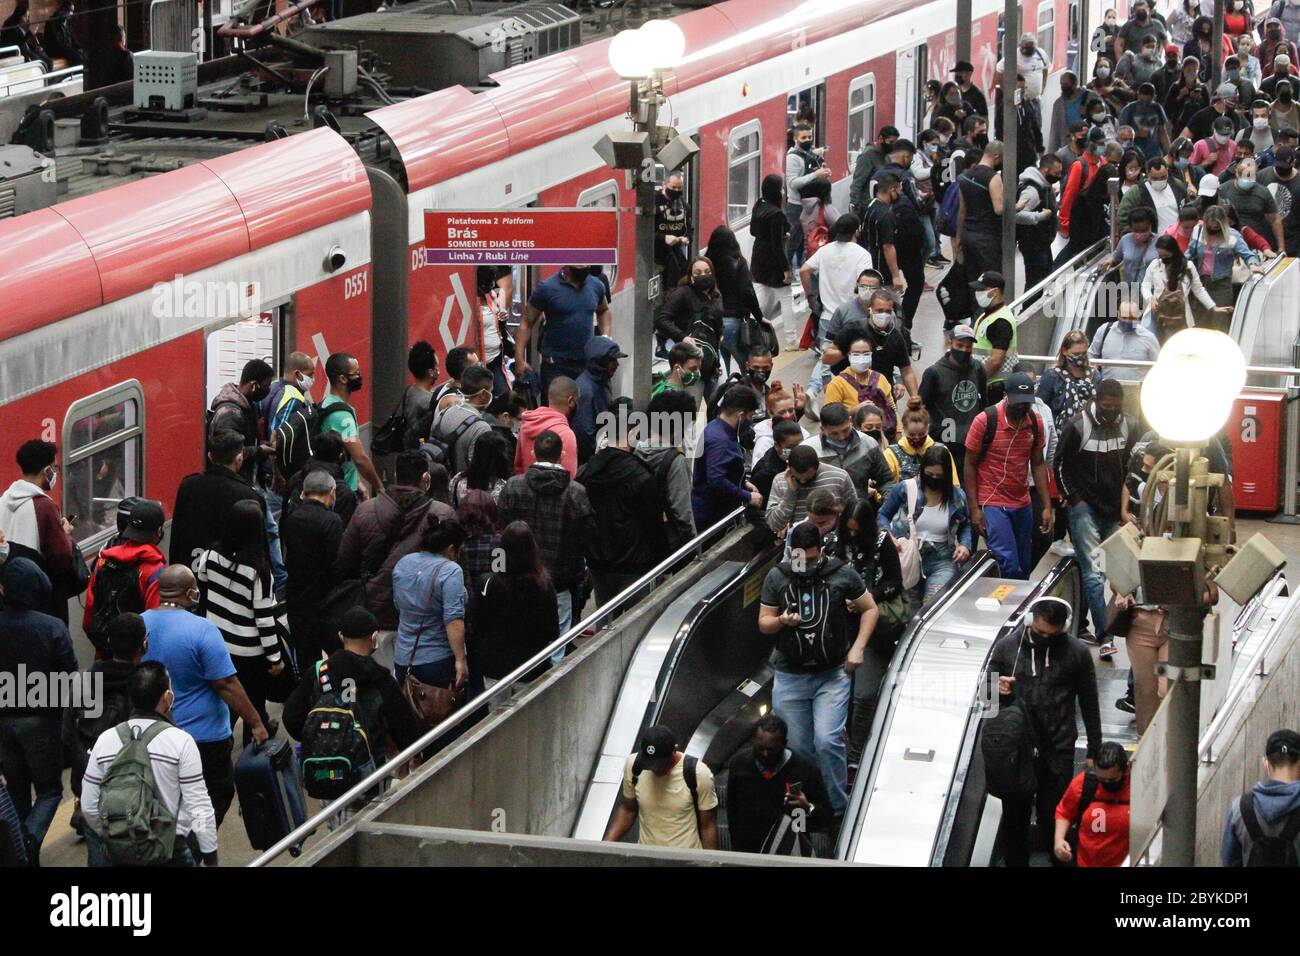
<point x="502" y="689"/>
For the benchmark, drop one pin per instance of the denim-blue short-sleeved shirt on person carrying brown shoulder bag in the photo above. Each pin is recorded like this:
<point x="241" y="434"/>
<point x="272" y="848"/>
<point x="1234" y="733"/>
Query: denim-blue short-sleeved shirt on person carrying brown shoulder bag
<point x="430" y="594"/>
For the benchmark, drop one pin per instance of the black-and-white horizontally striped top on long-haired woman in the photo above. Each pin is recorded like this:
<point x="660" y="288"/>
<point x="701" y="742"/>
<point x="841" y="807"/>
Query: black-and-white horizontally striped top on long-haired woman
<point x="242" y="607"/>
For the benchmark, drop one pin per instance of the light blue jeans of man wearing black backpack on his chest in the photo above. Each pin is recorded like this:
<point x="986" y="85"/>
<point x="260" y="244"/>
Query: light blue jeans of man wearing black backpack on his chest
<point x="817" y="708"/>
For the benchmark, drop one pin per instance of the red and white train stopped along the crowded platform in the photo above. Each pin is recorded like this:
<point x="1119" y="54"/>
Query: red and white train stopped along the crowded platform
<point x="123" y="312"/>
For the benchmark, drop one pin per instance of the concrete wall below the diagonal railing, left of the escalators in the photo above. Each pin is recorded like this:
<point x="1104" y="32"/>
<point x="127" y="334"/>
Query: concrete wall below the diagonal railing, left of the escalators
<point x="526" y="769"/>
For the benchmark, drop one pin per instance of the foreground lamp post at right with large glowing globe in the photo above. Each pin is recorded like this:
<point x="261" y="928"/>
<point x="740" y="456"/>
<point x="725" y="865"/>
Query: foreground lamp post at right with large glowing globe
<point x="1186" y="397"/>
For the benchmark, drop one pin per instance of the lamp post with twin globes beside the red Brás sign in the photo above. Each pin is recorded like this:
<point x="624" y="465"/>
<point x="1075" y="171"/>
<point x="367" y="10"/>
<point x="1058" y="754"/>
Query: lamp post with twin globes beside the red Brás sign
<point x="643" y="57"/>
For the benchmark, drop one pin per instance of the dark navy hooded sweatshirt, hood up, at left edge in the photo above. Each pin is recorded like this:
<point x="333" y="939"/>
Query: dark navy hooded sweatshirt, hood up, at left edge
<point x="29" y="639"/>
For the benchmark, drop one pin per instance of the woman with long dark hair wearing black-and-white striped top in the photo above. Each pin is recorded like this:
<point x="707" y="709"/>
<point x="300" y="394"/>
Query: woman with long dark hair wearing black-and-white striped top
<point x="239" y="598"/>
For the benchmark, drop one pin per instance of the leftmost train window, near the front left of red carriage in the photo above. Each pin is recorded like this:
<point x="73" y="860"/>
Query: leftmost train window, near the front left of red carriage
<point x="103" y="458"/>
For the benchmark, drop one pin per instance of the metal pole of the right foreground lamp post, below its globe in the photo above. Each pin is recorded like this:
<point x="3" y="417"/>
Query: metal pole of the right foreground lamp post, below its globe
<point x="1185" y="707"/>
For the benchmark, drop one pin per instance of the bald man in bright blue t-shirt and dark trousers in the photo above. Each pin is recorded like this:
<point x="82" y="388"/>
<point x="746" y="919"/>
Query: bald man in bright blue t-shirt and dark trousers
<point x="203" y="681"/>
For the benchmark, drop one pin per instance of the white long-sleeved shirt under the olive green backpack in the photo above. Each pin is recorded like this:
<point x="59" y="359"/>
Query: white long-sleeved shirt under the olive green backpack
<point x="177" y="775"/>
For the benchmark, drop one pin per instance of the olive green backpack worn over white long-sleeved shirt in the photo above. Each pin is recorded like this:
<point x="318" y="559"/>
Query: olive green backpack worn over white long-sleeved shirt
<point x="137" y="827"/>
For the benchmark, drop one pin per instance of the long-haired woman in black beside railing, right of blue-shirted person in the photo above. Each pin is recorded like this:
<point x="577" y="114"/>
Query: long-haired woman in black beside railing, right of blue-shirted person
<point x="514" y="613"/>
